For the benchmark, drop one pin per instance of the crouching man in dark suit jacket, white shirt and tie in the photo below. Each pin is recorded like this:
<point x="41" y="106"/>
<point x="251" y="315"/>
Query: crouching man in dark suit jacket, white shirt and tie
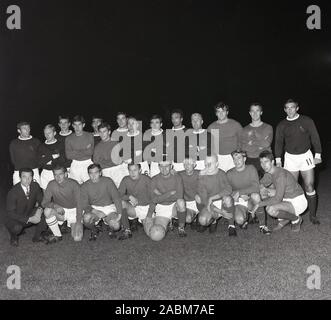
<point x="24" y="208"/>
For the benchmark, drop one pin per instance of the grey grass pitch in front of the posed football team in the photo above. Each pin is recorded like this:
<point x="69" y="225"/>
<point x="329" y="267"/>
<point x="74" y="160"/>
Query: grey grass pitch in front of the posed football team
<point x="201" y="266"/>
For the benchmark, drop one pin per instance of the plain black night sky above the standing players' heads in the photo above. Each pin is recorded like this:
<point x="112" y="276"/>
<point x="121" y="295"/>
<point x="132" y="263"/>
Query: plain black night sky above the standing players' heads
<point x="99" y="57"/>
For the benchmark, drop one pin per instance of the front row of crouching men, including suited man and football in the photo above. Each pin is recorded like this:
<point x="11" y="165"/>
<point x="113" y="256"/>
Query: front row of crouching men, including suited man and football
<point x="169" y="199"/>
